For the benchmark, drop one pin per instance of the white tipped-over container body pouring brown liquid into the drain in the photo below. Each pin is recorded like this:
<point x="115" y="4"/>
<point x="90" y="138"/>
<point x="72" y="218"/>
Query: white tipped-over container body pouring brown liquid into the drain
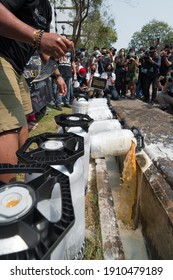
<point x="111" y="143"/>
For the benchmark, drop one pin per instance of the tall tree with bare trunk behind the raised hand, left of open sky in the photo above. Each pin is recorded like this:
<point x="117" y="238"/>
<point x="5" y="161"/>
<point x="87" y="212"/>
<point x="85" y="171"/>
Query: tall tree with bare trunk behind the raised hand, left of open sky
<point x="88" y="24"/>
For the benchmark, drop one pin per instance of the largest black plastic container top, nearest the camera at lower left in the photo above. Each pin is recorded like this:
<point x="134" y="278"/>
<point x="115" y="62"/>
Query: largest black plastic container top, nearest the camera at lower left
<point x="30" y="226"/>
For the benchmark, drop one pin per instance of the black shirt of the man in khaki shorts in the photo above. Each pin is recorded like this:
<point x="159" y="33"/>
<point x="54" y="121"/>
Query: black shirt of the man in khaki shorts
<point x="36" y="13"/>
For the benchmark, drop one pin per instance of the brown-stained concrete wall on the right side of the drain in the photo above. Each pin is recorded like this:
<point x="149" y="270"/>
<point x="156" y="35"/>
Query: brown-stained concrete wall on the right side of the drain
<point x="156" y="213"/>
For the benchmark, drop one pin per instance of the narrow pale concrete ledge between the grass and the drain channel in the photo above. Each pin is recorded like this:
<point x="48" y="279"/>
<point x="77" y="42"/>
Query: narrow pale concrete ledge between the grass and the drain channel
<point x="111" y="242"/>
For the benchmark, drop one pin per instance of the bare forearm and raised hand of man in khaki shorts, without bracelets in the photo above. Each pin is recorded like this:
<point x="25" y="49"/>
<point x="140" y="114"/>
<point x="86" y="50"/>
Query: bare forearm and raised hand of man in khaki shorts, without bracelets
<point x="11" y="27"/>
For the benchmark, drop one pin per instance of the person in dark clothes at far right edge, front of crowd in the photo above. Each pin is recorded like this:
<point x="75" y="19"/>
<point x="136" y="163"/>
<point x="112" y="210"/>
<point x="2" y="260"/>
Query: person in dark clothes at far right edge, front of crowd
<point x="165" y="93"/>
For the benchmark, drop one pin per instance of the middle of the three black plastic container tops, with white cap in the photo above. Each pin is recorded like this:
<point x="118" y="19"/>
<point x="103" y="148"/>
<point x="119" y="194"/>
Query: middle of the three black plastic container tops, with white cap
<point x="73" y="148"/>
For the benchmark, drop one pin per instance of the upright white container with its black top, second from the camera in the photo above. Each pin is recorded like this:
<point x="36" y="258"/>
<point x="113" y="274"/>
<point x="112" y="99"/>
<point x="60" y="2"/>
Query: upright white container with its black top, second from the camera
<point x="65" y="150"/>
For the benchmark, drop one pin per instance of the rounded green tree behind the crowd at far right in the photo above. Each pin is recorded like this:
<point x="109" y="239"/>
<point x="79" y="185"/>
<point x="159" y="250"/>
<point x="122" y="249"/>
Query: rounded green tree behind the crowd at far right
<point x="150" y="32"/>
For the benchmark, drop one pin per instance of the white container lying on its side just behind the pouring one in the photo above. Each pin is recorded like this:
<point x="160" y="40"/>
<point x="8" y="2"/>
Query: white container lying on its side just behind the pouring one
<point x="104" y="126"/>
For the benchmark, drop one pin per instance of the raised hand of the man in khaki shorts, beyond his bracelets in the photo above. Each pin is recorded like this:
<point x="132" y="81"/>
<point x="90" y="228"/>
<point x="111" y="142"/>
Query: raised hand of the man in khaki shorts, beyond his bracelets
<point x="55" y="45"/>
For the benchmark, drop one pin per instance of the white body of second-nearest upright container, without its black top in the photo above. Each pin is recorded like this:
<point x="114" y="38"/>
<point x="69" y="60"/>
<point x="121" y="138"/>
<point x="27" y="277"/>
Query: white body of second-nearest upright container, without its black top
<point x="72" y="243"/>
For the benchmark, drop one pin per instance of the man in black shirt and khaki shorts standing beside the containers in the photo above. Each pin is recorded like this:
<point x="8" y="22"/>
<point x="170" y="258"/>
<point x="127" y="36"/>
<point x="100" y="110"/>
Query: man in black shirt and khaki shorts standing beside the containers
<point x="24" y="29"/>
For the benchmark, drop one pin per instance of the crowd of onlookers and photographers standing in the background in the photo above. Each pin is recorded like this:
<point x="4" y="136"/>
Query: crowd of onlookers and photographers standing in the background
<point x="143" y="74"/>
